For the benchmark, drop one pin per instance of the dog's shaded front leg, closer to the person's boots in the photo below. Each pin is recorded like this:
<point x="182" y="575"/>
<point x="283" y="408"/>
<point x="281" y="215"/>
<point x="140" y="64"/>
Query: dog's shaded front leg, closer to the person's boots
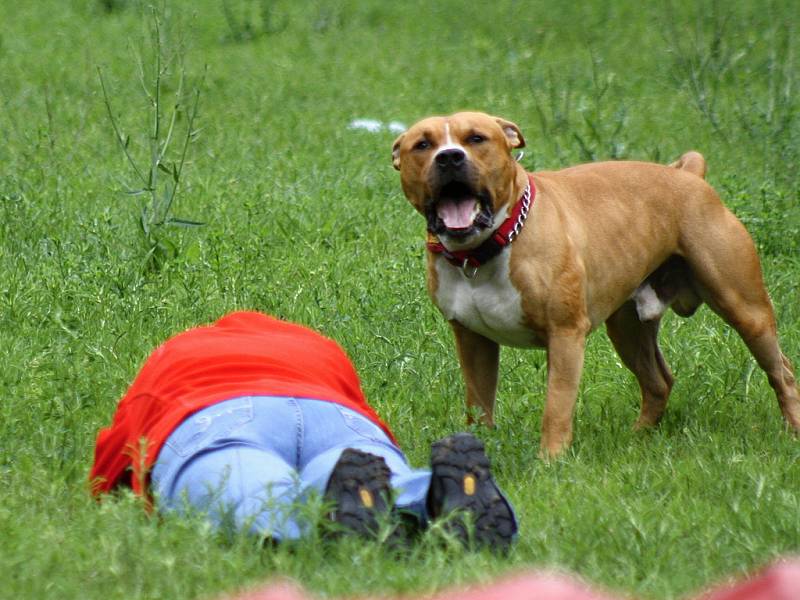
<point x="479" y="357"/>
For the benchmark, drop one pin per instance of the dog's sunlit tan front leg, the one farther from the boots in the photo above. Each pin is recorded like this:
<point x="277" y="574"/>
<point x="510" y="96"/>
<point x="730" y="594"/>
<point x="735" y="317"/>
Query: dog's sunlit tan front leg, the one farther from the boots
<point x="564" y="365"/>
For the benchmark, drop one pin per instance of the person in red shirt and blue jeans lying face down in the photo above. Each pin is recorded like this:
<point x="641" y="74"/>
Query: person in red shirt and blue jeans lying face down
<point x="243" y="418"/>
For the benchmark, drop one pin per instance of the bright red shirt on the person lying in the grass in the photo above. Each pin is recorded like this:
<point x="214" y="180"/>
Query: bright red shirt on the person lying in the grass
<point x="242" y="354"/>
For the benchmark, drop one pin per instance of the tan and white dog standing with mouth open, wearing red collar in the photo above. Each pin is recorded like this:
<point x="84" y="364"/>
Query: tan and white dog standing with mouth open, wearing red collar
<point x="542" y="259"/>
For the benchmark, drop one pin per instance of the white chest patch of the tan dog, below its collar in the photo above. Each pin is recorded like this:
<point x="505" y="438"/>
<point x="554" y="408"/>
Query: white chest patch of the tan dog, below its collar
<point x="487" y="304"/>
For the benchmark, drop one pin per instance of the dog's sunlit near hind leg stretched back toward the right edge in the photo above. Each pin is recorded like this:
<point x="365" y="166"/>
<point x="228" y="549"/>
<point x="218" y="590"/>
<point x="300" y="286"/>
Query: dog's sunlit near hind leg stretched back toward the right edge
<point x="728" y="278"/>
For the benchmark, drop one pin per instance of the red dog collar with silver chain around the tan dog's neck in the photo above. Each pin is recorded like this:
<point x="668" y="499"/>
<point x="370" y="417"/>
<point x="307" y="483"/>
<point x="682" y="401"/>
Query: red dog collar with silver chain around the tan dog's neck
<point x="502" y="237"/>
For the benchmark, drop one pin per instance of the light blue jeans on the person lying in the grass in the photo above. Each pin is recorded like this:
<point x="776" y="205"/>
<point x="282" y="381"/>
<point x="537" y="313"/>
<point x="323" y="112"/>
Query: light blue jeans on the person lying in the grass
<point x="250" y="462"/>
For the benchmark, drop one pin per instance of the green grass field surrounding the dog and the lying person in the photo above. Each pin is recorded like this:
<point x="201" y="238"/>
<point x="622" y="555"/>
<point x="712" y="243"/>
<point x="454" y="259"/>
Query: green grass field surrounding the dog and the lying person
<point x="304" y="218"/>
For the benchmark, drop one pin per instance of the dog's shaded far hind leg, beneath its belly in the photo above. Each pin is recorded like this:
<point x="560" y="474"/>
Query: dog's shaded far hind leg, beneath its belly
<point x="636" y="342"/>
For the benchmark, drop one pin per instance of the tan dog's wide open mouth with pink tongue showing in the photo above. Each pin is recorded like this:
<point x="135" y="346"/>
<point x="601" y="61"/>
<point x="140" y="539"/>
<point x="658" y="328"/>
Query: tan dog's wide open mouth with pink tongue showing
<point x="459" y="211"/>
